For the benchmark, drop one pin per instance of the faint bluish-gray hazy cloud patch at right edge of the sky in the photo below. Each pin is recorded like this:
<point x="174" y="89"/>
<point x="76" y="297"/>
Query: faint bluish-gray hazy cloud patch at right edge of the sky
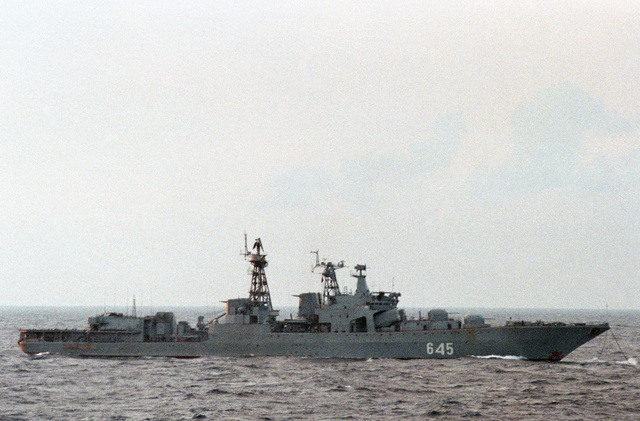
<point x="552" y="132"/>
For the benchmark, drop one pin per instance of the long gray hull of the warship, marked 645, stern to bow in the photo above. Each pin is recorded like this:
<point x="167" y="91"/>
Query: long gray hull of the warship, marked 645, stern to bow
<point x="531" y="342"/>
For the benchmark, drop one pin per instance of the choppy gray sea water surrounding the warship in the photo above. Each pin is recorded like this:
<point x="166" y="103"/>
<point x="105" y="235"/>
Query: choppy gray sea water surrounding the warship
<point x="600" y="380"/>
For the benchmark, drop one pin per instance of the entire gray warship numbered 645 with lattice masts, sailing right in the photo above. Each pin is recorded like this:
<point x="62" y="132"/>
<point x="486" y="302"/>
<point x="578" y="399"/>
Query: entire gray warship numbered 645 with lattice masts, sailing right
<point x="332" y="324"/>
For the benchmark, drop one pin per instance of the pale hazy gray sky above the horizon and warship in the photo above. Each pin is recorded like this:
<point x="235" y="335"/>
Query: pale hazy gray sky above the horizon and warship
<point x="471" y="154"/>
